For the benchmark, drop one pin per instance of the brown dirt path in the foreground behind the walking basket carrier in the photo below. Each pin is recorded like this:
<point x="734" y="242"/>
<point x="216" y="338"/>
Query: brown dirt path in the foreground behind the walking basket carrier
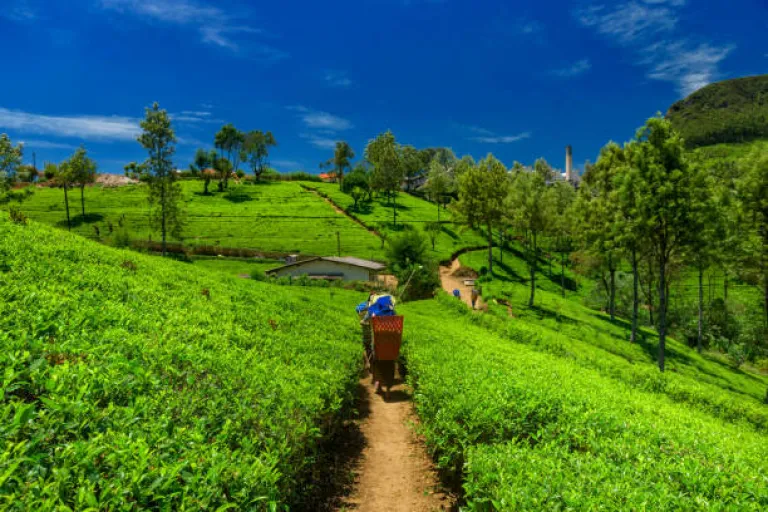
<point x="395" y="473"/>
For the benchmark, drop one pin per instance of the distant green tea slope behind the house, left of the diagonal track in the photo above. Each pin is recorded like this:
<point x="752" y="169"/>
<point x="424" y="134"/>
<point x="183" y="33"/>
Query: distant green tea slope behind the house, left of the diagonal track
<point x="220" y="219"/>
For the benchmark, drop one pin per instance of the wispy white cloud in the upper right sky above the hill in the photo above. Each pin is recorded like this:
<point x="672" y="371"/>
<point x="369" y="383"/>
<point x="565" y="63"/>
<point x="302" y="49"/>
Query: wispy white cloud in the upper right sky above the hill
<point x="649" y="29"/>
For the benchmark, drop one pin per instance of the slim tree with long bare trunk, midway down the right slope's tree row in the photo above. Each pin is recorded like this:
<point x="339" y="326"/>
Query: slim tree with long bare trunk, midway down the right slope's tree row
<point x="528" y="212"/>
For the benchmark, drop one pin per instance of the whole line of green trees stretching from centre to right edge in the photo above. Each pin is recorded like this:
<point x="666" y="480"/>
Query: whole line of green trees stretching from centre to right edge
<point x="647" y="209"/>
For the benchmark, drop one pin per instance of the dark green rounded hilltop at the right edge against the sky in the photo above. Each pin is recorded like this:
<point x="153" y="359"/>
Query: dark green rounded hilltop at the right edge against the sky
<point x="731" y="111"/>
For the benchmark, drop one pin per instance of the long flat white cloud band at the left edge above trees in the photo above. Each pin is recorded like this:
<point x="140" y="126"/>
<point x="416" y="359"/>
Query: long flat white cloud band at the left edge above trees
<point x="81" y="127"/>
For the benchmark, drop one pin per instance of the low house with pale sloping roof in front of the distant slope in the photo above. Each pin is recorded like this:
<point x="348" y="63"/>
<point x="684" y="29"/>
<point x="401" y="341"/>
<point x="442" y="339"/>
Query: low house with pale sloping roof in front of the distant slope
<point x="331" y="268"/>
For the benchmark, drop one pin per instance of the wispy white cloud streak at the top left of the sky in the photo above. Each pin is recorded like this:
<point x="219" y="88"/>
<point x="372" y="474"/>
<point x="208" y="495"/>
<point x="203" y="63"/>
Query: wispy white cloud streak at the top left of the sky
<point x="216" y="26"/>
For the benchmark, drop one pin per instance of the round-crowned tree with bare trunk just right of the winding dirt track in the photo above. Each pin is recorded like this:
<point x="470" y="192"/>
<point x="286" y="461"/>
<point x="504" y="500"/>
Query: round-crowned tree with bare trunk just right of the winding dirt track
<point x="483" y="190"/>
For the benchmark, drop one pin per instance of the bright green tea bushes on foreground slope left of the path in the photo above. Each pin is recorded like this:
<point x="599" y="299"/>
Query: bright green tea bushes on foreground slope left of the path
<point x="132" y="388"/>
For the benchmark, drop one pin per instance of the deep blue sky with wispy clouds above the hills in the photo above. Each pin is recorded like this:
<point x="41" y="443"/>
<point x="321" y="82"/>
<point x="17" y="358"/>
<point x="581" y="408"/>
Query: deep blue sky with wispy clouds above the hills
<point x="518" y="79"/>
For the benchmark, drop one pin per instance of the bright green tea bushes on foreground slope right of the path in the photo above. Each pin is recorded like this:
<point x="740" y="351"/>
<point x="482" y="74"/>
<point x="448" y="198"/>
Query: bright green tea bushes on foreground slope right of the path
<point x="530" y="426"/>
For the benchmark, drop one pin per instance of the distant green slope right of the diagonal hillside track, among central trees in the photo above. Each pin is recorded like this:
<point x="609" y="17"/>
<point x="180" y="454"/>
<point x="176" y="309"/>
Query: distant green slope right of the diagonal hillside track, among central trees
<point x="411" y="211"/>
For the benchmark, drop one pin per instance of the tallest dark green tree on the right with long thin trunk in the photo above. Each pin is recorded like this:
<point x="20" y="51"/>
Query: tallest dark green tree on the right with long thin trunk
<point x="665" y="208"/>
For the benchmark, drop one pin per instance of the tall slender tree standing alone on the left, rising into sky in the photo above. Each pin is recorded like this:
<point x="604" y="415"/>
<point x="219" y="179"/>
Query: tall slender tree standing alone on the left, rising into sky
<point x="159" y="139"/>
